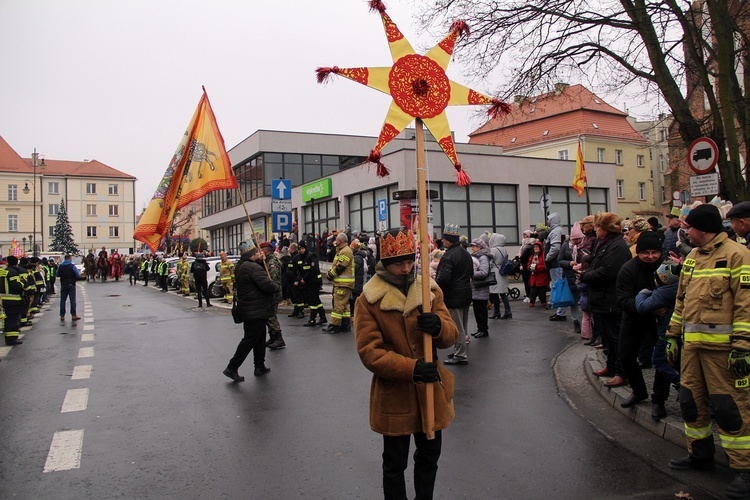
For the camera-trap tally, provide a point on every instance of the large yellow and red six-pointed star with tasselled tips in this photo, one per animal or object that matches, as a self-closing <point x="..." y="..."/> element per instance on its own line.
<point x="420" y="89"/>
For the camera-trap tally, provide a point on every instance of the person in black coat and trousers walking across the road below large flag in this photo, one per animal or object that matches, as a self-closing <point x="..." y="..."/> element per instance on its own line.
<point x="254" y="291"/>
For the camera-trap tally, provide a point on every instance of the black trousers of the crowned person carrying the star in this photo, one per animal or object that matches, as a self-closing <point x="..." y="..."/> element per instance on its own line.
<point x="396" y="458"/>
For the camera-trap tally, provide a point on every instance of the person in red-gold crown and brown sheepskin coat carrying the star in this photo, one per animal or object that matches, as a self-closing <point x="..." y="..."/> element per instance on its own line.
<point x="390" y="331"/>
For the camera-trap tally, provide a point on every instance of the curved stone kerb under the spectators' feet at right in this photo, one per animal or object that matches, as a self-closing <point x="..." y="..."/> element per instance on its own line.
<point x="669" y="428"/>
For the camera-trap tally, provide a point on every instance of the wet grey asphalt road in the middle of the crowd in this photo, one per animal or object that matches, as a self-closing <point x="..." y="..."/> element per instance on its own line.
<point x="161" y="421"/>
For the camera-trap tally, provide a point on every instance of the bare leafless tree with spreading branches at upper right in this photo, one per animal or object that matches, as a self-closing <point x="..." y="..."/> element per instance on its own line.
<point x="693" y="56"/>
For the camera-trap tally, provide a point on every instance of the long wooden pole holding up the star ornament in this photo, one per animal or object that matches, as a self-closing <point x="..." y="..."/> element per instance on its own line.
<point x="424" y="258"/>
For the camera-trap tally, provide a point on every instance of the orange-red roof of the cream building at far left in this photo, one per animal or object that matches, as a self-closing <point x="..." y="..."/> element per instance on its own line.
<point x="10" y="161"/>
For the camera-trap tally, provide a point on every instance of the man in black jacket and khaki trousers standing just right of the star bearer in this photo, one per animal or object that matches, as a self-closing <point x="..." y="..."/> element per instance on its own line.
<point x="453" y="276"/>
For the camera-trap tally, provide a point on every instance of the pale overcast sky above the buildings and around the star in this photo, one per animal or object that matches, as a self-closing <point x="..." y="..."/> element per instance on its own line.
<point x="118" y="81"/>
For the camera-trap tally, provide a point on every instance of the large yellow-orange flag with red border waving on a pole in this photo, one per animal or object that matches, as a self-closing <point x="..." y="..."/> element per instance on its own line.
<point x="200" y="165"/>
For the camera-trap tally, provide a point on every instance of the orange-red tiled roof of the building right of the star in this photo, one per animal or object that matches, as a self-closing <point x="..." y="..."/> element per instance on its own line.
<point x="566" y="112"/>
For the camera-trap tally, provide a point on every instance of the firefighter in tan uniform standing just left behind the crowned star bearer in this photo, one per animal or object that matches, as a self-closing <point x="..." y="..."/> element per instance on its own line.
<point x="342" y="275"/>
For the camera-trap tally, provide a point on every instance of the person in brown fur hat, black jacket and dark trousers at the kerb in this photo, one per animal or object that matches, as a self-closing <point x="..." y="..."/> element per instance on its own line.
<point x="610" y="254"/>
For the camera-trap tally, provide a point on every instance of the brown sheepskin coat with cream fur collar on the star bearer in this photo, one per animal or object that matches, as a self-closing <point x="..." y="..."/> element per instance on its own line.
<point x="389" y="344"/>
